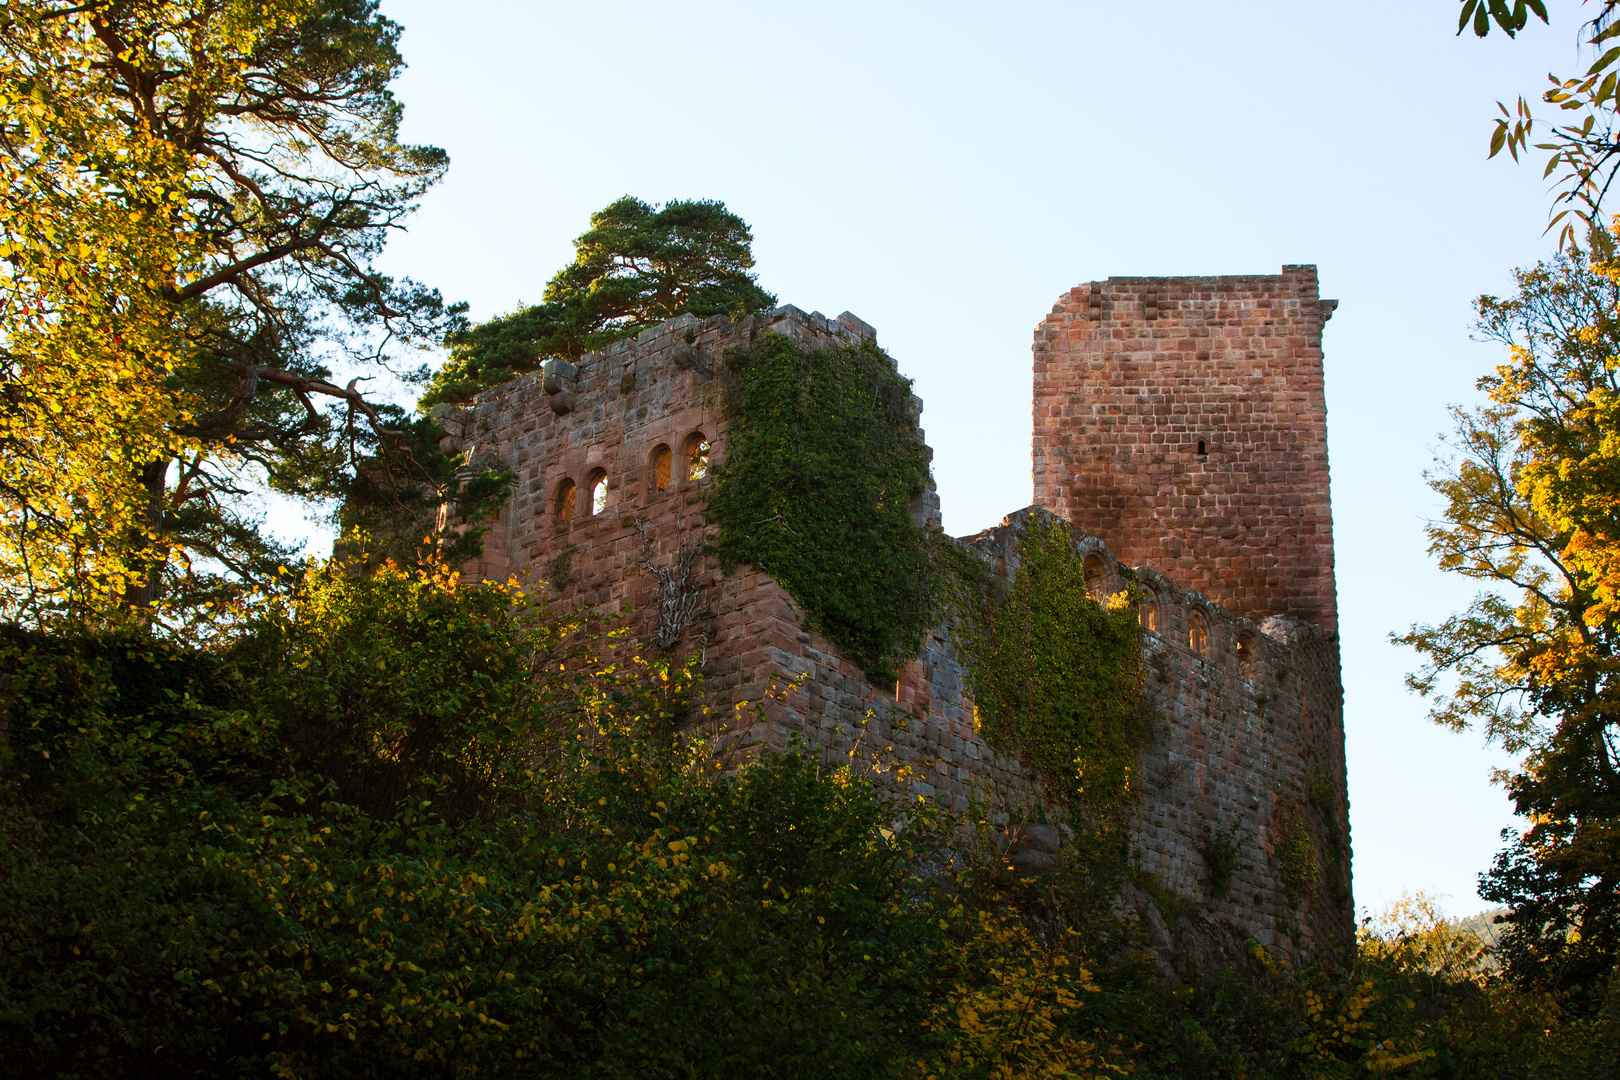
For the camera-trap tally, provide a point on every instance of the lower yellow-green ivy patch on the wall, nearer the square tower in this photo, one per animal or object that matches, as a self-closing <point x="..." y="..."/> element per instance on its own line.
<point x="1055" y="674"/>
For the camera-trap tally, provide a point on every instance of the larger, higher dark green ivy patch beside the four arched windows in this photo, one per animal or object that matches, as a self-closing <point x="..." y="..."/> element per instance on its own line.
<point x="822" y="466"/>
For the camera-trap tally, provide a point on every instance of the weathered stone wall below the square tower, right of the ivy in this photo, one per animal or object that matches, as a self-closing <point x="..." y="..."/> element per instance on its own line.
<point x="1248" y="738"/>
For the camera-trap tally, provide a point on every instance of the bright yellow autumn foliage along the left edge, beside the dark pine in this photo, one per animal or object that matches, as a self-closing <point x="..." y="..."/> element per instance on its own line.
<point x="96" y="232"/>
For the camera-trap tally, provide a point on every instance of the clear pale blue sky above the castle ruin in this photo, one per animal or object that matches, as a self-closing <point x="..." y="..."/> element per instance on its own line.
<point x="947" y="171"/>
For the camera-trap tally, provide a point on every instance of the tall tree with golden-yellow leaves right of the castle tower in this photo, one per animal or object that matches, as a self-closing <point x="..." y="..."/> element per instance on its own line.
<point x="1530" y="493"/>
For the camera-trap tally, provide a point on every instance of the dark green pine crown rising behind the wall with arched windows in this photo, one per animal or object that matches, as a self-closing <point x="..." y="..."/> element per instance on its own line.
<point x="636" y="268"/>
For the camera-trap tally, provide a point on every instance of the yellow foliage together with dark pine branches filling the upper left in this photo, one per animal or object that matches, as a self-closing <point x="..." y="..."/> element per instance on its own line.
<point x="195" y="193"/>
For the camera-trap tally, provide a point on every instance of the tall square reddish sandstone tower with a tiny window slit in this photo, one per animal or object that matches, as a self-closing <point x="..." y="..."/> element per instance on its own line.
<point x="1183" y="422"/>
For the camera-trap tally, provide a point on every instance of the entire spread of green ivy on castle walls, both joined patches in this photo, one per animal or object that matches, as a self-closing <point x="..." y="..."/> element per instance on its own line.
<point x="822" y="467"/>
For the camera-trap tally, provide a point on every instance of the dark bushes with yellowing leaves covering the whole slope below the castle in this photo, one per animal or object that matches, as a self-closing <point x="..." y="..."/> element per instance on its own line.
<point x="403" y="827"/>
